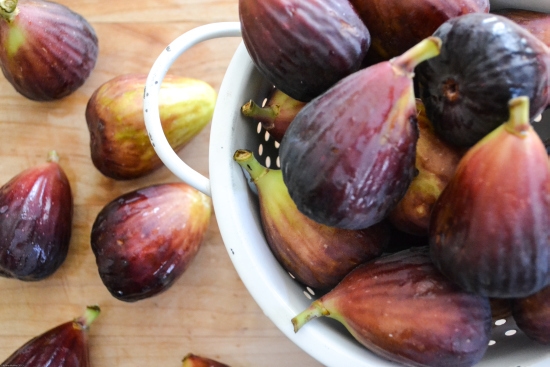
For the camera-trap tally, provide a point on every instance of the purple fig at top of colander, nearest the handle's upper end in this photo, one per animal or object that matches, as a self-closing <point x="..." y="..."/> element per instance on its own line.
<point x="303" y="47"/>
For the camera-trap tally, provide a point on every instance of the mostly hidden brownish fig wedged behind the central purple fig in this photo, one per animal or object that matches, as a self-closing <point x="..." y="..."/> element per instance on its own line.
<point x="436" y="162"/>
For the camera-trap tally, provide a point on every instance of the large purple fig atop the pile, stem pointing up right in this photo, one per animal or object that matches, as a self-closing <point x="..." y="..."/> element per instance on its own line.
<point x="348" y="156"/>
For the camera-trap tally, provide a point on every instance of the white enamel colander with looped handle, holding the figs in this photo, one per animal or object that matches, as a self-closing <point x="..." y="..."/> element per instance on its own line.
<point x="236" y="207"/>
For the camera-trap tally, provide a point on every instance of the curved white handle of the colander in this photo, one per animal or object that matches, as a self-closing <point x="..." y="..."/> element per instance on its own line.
<point x="150" y="98"/>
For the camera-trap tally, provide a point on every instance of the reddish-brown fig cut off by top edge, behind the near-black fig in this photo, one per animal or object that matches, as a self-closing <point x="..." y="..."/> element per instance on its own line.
<point x="396" y="25"/>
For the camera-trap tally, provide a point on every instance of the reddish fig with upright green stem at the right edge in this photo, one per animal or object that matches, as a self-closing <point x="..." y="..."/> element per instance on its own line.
<point x="490" y="227"/>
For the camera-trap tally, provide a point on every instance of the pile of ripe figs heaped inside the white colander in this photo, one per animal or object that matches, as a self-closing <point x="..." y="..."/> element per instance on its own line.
<point x="413" y="192"/>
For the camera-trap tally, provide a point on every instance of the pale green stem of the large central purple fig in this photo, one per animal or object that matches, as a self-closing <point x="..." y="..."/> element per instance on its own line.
<point x="422" y="51"/>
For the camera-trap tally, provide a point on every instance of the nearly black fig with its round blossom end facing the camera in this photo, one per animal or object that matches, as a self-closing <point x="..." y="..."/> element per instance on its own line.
<point x="485" y="60"/>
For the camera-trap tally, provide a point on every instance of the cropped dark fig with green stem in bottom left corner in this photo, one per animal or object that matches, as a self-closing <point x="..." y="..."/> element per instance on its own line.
<point x="65" y="345"/>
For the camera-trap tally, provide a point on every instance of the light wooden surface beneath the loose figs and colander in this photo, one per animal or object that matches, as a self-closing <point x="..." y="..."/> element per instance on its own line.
<point x="208" y="311"/>
